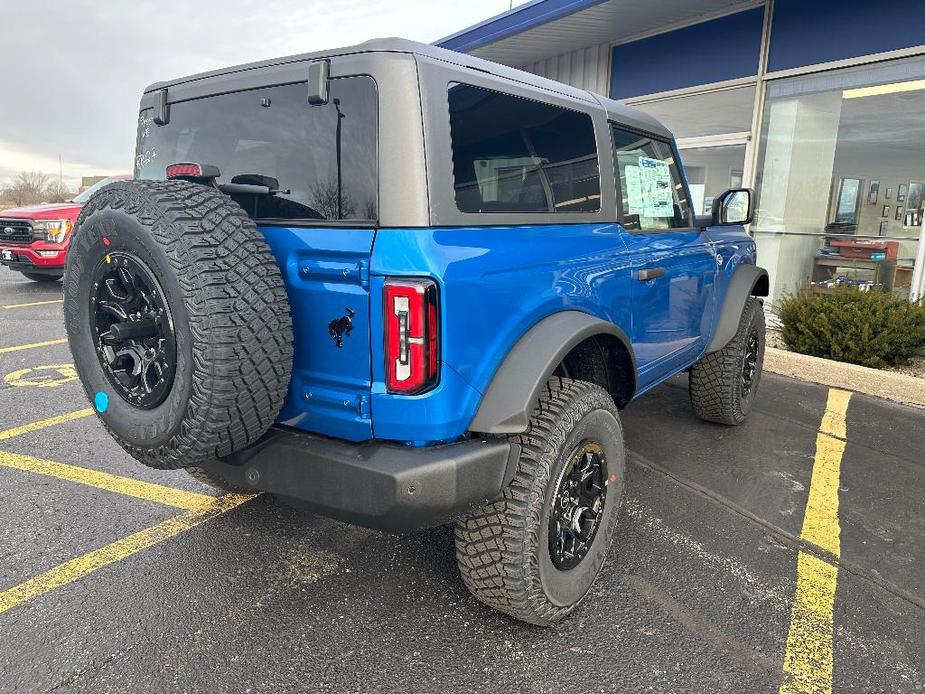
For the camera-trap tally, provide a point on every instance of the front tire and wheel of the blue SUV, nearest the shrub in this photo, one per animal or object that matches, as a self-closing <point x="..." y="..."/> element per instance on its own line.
<point x="723" y="384"/>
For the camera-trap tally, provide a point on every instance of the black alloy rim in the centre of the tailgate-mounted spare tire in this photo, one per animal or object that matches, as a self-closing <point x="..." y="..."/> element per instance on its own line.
<point x="132" y="329"/>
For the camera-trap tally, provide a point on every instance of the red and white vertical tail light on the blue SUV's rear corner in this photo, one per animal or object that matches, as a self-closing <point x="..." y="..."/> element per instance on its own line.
<point x="411" y="335"/>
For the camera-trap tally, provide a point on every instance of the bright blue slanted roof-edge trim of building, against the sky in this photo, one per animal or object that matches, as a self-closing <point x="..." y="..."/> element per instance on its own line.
<point x="520" y="19"/>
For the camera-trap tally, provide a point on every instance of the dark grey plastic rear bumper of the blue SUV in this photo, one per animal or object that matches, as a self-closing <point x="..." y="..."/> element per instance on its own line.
<point x="375" y="484"/>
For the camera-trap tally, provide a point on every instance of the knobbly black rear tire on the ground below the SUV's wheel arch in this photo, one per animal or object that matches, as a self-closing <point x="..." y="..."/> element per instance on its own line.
<point x="503" y="549"/>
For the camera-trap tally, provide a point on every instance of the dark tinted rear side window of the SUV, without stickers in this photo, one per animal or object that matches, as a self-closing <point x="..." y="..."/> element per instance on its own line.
<point x="516" y="155"/>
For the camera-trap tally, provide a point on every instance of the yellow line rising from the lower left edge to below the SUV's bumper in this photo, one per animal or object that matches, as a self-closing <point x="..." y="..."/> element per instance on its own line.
<point x="77" y="568"/>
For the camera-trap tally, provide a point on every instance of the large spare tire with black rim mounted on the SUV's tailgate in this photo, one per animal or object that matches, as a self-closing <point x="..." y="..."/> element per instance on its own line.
<point x="204" y="277"/>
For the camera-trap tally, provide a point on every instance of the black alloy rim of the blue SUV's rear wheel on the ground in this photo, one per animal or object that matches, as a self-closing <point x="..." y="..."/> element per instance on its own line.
<point x="578" y="506"/>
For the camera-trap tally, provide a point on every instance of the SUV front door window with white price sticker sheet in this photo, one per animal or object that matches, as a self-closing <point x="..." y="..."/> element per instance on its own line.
<point x="653" y="195"/>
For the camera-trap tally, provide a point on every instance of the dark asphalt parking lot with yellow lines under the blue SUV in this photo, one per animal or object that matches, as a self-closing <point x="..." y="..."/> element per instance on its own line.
<point x="785" y="555"/>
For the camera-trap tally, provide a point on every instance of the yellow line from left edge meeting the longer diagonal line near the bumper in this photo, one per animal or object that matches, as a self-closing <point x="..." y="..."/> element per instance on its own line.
<point x="189" y="501"/>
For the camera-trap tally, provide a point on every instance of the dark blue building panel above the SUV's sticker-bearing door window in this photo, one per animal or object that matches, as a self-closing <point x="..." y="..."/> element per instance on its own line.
<point x="713" y="51"/>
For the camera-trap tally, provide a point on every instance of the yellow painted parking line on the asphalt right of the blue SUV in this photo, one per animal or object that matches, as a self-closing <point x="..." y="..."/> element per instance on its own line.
<point x="809" y="656"/>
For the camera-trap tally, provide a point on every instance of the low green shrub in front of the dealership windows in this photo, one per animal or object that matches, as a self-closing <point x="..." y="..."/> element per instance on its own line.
<point x="868" y="328"/>
